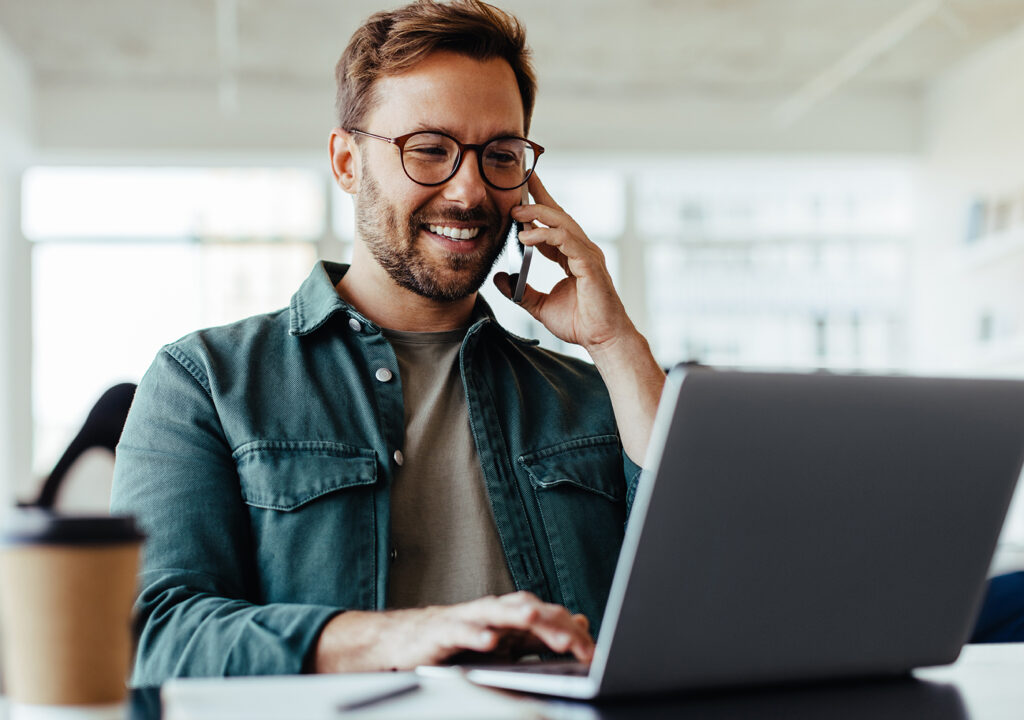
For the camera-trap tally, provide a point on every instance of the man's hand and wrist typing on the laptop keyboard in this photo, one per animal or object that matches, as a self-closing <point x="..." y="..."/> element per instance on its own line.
<point x="511" y="625"/>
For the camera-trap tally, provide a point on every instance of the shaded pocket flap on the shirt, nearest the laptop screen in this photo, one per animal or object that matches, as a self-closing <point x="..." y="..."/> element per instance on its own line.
<point x="589" y="463"/>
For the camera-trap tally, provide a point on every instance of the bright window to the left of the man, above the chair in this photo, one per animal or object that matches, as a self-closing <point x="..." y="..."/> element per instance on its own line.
<point x="125" y="261"/>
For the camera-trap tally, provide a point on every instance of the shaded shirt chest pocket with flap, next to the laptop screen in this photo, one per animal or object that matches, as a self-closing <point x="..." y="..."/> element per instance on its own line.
<point x="580" y="489"/>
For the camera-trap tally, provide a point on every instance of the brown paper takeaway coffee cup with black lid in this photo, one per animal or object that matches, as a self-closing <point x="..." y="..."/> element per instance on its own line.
<point x="67" y="588"/>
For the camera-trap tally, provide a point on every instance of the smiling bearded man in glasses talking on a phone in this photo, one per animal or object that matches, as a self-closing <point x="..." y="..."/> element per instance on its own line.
<point x="380" y="477"/>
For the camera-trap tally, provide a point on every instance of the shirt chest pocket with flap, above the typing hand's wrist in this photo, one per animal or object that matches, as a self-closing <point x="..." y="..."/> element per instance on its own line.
<point x="314" y="521"/>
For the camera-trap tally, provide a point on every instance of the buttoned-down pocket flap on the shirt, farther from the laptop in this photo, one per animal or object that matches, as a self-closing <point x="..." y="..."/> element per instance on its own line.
<point x="287" y="475"/>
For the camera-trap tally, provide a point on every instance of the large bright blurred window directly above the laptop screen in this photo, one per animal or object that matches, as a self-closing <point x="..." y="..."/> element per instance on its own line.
<point x="777" y="263"/>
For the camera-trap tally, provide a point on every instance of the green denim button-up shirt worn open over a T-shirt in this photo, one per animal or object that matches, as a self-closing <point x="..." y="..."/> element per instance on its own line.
<point x="259" y="457"/>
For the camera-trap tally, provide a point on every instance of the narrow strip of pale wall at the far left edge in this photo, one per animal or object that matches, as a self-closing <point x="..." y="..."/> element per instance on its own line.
<point x="16" y="334"/>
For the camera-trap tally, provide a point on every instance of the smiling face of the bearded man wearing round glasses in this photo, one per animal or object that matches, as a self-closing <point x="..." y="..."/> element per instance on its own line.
<point x="406" y="226"/>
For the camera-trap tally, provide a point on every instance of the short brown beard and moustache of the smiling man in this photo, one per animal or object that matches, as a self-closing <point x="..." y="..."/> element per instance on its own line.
<point x="395" y="246"/>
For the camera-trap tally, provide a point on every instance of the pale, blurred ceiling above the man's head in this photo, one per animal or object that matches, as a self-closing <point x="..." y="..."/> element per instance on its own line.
<point x="694" y="64"/>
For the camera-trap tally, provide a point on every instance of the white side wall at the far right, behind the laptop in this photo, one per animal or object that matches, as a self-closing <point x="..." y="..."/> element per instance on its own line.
<point x="974" y="150"/>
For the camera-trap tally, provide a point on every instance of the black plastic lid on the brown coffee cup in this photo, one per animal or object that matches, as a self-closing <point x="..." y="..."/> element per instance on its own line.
<point x="42" y="528"/>
